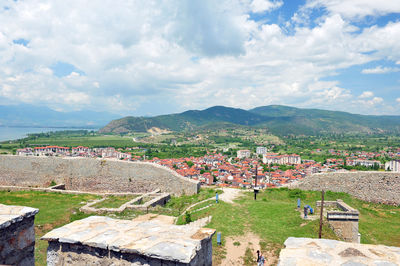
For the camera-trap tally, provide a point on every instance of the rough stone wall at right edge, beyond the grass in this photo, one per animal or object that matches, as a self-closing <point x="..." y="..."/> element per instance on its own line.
<point x="378" y="187"/>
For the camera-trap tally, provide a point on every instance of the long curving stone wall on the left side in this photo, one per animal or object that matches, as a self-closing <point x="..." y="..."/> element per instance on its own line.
<point x="86" y="174"/>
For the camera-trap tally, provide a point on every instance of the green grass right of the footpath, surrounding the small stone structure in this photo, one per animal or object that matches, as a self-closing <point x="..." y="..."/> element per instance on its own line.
<point x="274" y="218"/>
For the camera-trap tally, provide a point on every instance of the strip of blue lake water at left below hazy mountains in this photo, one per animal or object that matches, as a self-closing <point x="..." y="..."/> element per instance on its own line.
<point x="12" y="133"/>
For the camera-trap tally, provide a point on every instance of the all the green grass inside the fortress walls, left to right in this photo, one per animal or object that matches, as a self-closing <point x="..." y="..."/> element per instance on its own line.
<point x="273" y="217"/>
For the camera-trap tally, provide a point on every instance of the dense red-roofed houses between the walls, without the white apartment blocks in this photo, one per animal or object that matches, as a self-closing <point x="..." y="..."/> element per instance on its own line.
<point x="217" y="169"/>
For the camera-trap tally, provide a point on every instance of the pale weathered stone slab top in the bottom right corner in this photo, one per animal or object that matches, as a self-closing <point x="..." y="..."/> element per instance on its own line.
<point x="309" y="251"/>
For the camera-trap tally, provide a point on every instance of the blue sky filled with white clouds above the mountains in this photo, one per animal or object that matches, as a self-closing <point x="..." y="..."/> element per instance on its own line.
<point x="145" y="57"/>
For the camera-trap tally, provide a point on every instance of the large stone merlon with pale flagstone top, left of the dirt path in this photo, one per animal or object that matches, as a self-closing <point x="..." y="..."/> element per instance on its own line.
<point x="131" y="239"/>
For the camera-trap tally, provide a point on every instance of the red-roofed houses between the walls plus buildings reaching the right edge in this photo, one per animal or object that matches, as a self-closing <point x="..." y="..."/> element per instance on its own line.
<point x="246" y="169"/>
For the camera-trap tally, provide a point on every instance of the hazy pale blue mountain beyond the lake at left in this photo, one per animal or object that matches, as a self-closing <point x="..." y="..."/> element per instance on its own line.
<point x="29" y="115"/>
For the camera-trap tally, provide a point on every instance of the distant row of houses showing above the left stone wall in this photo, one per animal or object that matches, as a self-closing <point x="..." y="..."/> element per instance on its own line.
<point x="79" y="151"/>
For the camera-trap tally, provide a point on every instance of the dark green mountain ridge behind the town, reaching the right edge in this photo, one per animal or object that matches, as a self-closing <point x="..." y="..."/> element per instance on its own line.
<point x="281" y="120"/>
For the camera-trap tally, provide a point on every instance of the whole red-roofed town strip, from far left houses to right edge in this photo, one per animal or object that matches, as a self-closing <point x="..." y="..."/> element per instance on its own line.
<point x="248" y="169"/>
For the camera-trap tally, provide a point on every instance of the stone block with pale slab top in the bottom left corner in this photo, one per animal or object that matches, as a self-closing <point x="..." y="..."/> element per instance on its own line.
<point x="17" y="235"/>
